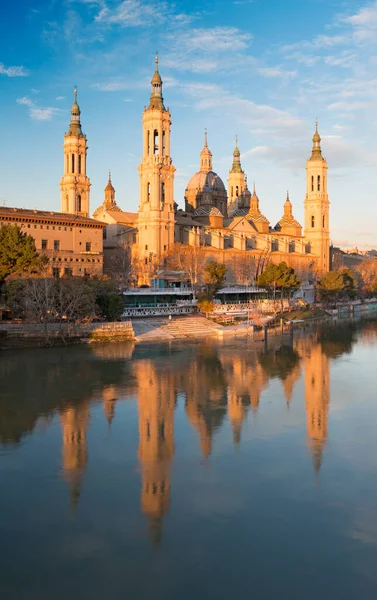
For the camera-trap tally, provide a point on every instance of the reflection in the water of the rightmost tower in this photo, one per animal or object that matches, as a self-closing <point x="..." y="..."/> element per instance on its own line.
<point x="317" y="398"/>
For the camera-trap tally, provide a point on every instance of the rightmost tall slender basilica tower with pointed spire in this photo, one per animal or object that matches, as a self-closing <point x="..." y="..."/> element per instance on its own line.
<point x="317" y="228"/>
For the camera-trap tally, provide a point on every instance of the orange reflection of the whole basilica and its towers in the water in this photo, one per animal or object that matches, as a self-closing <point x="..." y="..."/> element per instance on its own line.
<point x="217" y="383"/>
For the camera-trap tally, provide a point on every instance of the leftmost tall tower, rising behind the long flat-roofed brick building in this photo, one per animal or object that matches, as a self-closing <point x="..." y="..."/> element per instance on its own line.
<point x="75" y="185"/>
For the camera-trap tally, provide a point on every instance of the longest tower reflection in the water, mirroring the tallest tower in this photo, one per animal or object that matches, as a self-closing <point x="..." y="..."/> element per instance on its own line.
<point x="156" y="402"/>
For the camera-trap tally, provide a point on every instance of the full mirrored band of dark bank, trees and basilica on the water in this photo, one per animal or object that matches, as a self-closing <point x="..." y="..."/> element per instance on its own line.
<point x="217" y="383"/>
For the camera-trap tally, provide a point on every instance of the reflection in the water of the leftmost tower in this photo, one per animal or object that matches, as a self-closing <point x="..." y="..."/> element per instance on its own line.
<point x="75" y="422"/>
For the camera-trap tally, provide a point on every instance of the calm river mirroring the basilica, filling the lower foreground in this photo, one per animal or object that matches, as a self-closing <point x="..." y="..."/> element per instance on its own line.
<point x="198" y="470"/>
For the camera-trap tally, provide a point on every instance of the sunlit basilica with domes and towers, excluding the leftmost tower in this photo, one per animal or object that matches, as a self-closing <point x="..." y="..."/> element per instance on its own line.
<point x="227" y="222"/>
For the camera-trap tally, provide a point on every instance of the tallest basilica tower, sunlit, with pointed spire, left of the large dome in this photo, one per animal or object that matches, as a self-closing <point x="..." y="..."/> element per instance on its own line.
<point x="156" y="171"/>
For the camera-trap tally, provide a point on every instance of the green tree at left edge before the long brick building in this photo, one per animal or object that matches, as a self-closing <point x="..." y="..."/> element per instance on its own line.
<point x="17" y="253"/>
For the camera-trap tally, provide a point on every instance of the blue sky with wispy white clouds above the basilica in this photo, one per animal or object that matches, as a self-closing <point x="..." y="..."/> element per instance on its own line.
<point x="262" y="69"/>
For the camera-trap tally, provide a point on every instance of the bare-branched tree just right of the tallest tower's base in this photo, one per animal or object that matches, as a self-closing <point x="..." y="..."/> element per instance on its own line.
<point x="190" y="260"/>
